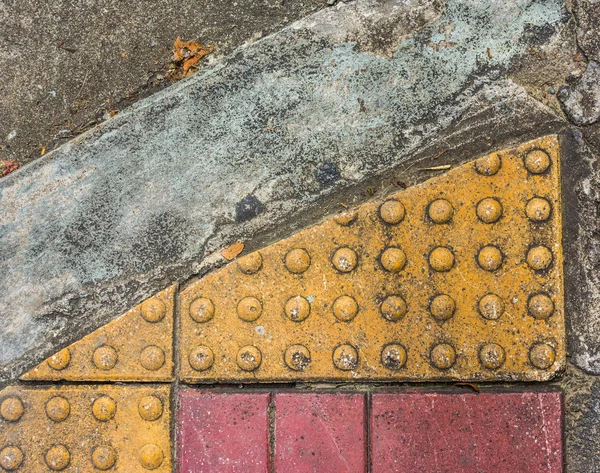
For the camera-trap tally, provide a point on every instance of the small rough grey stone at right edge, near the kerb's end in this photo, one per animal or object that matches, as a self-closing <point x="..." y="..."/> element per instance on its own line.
<point x="581" y="100"/>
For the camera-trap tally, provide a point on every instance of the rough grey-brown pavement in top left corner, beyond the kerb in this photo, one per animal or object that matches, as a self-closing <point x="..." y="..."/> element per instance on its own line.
<point x="68" y="63"/>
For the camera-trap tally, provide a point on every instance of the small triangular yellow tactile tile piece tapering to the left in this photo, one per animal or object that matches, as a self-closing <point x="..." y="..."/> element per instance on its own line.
<point x="138" y="346"/>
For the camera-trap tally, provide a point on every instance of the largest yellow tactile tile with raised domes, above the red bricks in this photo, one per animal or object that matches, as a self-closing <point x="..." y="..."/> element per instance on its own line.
<point x="459" y="278"/>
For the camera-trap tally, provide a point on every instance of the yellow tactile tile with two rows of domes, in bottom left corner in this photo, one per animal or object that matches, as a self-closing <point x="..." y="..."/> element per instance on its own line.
<point x="81" y="429"/>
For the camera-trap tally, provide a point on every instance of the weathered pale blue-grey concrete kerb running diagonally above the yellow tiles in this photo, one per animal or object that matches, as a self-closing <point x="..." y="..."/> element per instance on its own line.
<point x="112" y="217"/>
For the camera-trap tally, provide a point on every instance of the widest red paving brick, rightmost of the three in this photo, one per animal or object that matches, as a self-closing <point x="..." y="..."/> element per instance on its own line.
<point x="467" y="433"/>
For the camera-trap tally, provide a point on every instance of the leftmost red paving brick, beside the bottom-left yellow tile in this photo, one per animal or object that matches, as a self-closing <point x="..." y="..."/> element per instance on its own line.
<point x="223" y="433"/>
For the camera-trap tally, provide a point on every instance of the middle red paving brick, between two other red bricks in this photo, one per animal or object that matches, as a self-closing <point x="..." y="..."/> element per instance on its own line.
<point x="324" y="433"/>
